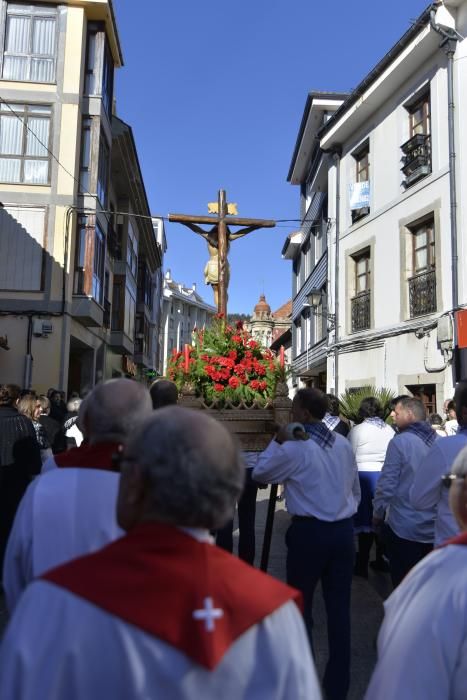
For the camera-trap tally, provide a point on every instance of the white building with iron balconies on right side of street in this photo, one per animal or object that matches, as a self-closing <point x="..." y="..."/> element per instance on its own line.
<point x="394" y="291"/>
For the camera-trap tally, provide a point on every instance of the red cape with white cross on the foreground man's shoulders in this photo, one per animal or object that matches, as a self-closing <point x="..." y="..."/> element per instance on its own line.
<point x="157" y="577"/>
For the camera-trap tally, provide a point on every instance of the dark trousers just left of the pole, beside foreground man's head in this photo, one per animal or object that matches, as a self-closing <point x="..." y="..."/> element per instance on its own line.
<point x="246" y="523"/>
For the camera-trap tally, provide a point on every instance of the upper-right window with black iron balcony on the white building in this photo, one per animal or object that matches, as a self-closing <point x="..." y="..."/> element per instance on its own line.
<point x="417" y="150"/>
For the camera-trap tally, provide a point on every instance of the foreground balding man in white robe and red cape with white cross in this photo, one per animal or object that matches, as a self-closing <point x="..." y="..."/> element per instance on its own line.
<point x="162" y="612"/>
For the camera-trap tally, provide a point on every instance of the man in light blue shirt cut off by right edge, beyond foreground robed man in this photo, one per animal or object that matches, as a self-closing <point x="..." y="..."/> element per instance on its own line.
<point x="428" y="490"/>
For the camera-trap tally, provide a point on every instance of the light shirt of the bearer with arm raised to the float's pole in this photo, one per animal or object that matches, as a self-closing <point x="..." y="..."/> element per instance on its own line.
<point x="322" y="482"/>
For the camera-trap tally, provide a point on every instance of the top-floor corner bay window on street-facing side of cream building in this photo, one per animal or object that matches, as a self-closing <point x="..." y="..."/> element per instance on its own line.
<point x="99" y="66"/>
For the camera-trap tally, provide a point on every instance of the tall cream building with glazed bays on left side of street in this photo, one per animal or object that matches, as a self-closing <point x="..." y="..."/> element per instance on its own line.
<point x="72" y="200"/>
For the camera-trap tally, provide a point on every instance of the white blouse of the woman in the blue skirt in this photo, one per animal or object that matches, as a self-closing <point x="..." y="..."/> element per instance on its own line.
<point x="369" y="443"/>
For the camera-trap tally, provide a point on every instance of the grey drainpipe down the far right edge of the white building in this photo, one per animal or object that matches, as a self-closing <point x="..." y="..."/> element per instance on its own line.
<point x="449" y="44"/>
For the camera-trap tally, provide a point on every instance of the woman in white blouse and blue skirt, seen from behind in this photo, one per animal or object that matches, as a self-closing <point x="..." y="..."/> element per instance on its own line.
<point x="369" y="439"/>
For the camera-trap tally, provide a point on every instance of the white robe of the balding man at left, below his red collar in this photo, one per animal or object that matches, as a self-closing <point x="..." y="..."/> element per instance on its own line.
<point x="64" y="513"/>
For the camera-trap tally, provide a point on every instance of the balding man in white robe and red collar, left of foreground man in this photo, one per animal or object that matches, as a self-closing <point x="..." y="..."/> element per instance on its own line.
<point x="70" y="510"/>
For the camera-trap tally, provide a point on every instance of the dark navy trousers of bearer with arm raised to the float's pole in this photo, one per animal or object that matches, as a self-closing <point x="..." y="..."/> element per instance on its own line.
<point x="318" y="550"/>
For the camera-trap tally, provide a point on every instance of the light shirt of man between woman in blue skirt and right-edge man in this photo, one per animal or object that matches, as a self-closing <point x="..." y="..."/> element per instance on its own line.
<point x="406" y="453"/>
